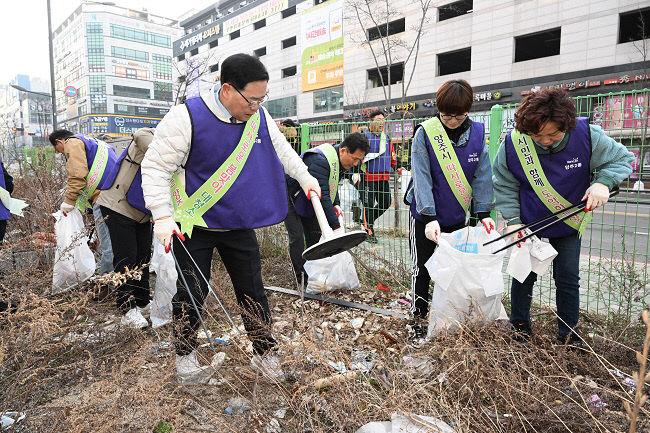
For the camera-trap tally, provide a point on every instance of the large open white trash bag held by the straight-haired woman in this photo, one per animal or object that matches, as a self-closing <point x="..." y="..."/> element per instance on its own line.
<point x="468" y="279"/>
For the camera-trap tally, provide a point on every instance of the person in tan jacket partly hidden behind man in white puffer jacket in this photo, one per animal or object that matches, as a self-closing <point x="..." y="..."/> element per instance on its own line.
<point x="129" y="225"/>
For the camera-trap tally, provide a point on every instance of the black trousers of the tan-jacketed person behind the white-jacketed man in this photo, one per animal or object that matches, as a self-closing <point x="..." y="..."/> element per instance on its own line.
<point x="131" y="243"/>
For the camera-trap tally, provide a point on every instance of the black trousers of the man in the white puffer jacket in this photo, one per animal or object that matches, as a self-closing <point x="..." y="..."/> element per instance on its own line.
<point x="240" y="254"/>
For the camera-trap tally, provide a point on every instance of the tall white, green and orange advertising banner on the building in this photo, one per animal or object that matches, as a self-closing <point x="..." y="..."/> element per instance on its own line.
<point x="322" y="46"/>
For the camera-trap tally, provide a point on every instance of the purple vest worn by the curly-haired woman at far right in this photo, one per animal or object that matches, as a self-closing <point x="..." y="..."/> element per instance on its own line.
<point x="568" y="171"/>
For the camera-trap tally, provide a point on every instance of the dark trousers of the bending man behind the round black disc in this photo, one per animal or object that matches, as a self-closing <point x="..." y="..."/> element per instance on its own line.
<point x="301" y="231"/>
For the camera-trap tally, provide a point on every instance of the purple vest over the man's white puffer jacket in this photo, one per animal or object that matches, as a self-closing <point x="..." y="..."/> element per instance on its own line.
<point x="258" y="198"/>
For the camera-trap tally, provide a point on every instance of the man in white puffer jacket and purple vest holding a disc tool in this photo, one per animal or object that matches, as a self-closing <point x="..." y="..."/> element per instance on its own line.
<point x="225" y="159"/>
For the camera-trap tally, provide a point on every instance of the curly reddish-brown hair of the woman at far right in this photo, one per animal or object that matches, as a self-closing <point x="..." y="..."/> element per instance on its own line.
<point x="543" y="106"/>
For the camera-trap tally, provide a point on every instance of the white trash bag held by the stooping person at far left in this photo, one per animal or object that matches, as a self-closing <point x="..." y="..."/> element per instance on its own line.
<point x="74" y="262"/>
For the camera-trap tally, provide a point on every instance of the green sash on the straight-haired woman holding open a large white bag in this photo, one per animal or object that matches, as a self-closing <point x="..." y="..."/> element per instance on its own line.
<point x="448" y="160"/>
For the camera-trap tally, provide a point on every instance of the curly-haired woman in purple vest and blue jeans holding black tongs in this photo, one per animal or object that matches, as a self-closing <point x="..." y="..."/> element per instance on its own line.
<point x="569" y="150"/>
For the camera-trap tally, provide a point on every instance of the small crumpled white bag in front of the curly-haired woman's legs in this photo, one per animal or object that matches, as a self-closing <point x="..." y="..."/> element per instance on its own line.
<point x="534" y="255"/>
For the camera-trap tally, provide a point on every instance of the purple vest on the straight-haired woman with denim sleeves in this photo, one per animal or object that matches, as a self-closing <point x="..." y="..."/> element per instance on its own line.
<point x="448" y="211"/>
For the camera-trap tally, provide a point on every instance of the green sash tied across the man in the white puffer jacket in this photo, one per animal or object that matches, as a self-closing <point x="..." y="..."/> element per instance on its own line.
<point x="188" y="211"/>
